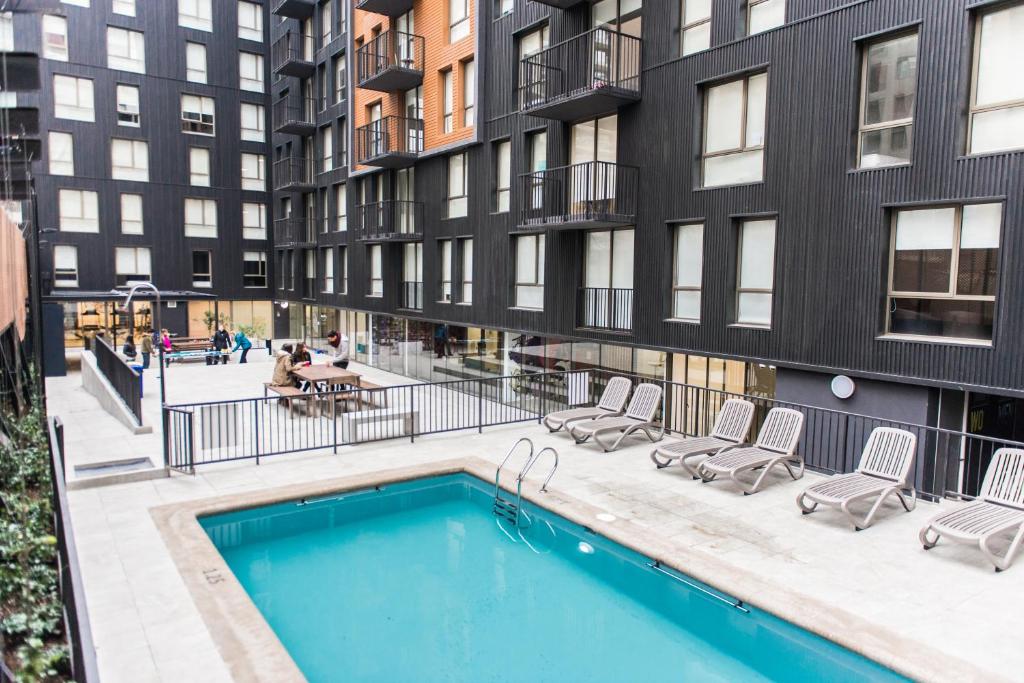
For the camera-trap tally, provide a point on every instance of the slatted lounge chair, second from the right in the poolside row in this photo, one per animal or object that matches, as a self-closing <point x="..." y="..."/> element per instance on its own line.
<point x="885" y="465"/>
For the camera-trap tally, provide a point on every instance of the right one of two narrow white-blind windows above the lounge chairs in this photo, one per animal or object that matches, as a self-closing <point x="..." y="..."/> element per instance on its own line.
<point x="756" y="275"/>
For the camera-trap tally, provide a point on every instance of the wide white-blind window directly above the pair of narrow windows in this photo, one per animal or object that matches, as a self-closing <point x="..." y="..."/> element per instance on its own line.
<point x="735" y="132"/>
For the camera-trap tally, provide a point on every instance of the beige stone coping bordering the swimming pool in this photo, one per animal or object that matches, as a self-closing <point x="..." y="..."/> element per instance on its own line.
<point x="252" y="651"/>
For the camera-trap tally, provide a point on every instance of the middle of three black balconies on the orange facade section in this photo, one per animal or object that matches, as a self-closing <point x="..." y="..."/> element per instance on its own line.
<point x="392" y="62"/>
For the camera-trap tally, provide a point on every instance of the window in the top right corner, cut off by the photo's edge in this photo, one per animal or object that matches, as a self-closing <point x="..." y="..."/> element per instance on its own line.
<point x="998" y="89"/>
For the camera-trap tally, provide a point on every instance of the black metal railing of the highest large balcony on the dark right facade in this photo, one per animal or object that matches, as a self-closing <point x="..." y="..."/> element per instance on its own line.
<point x="601" y="60"/>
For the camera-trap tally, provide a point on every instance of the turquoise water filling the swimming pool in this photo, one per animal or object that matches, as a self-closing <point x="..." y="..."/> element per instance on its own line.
<point x="417" y="582"/>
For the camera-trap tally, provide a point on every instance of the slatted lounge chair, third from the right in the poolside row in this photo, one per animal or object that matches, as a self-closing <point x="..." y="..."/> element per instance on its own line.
<point x="777" y="445"/>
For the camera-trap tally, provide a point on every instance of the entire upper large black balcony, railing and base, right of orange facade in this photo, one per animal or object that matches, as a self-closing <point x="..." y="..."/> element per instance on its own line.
<point x="590" y="75"/>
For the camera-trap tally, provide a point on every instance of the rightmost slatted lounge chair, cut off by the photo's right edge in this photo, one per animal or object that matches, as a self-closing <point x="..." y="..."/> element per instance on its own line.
<point x="998" y="511"/>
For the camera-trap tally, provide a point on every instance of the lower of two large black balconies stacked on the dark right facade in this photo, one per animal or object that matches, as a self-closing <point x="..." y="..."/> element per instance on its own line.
<point x="592" y="195"/>
